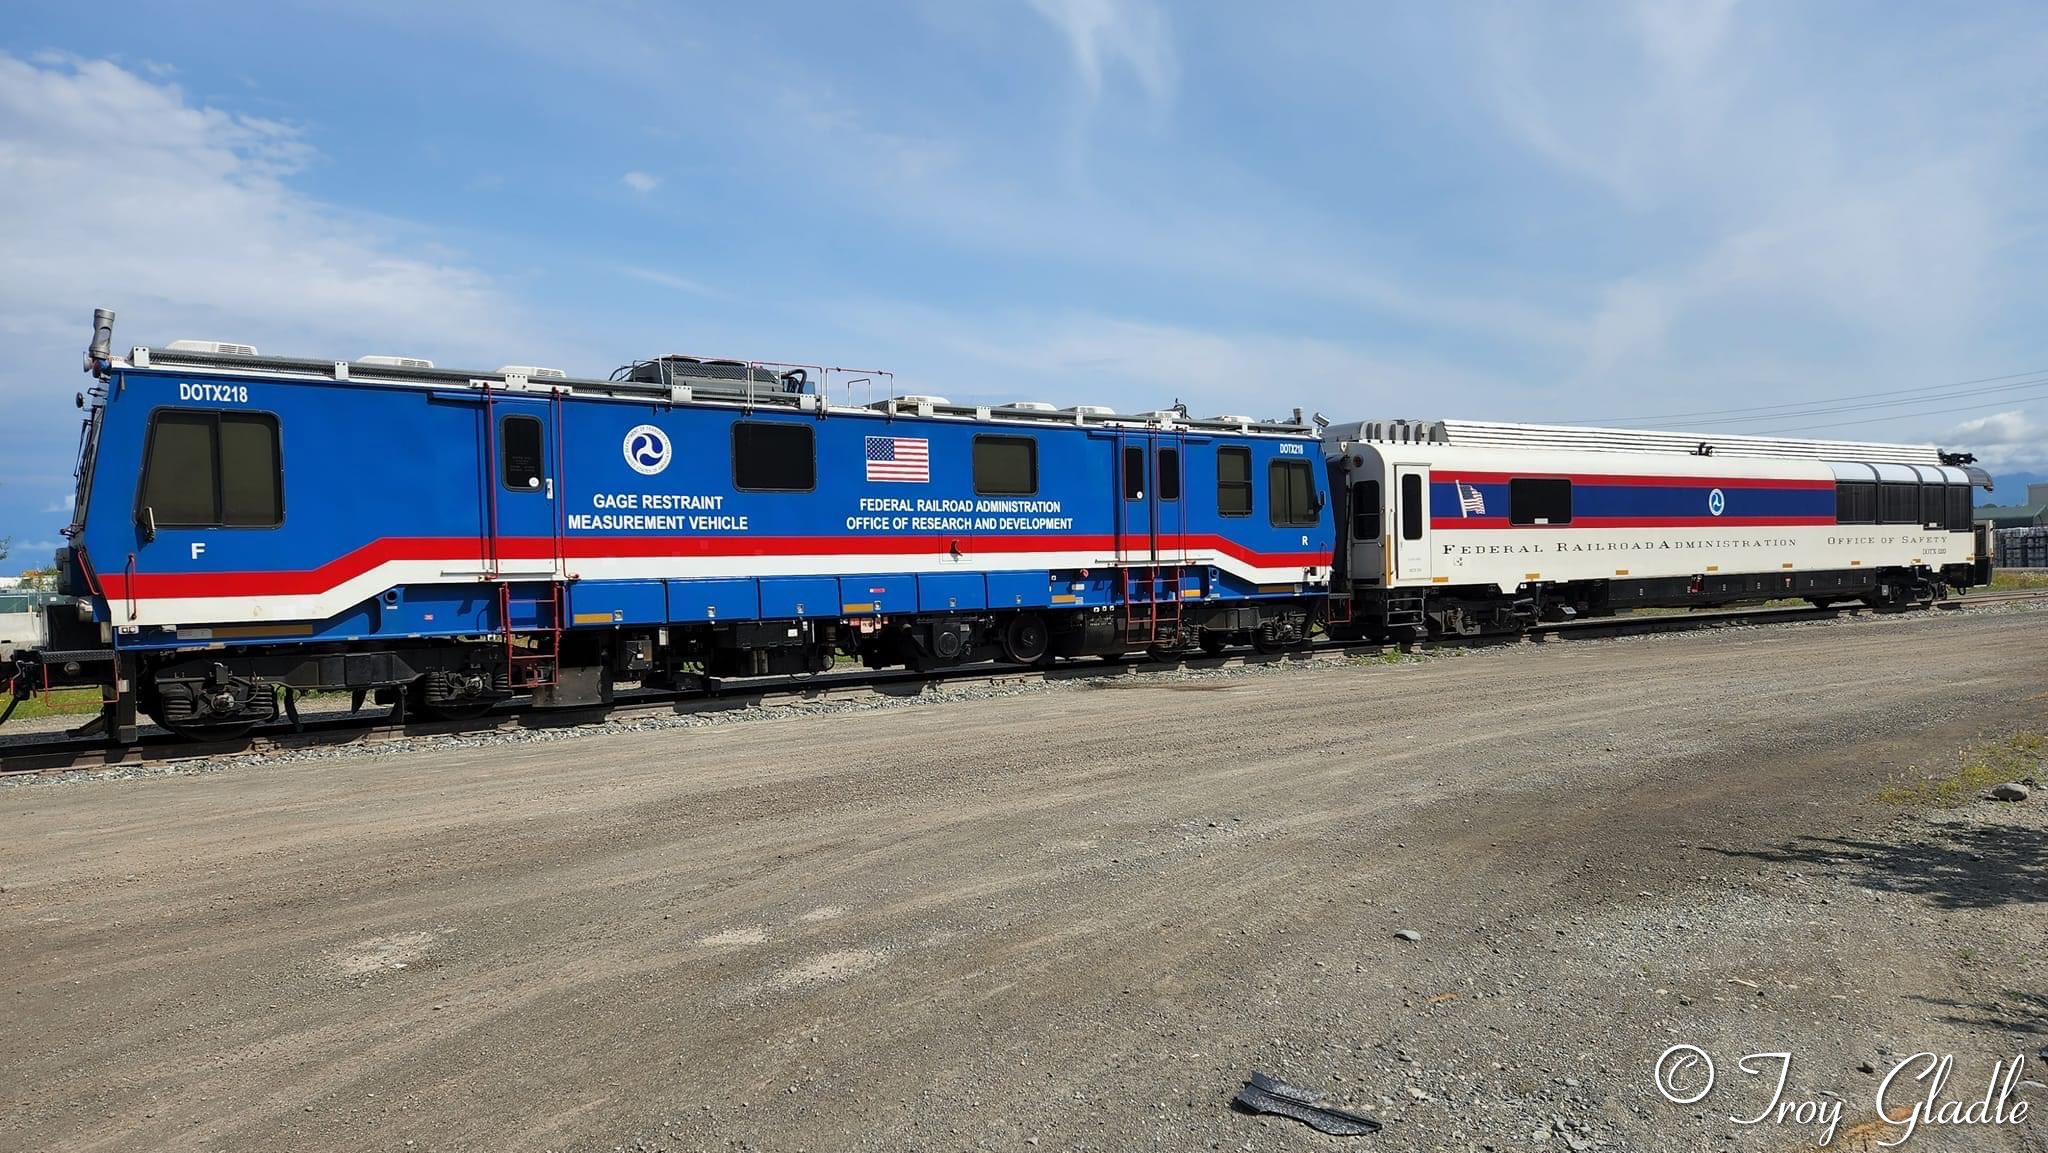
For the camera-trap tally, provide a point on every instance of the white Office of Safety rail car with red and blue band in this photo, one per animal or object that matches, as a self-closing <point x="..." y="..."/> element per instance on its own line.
<point x="1465" y="527"/>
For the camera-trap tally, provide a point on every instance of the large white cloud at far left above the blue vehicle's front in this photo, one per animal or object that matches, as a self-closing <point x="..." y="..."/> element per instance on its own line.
<point x="124" y="194"/>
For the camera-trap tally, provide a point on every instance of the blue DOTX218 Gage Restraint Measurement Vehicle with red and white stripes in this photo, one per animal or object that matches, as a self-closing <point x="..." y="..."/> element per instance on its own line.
<point x="253" y="527"/>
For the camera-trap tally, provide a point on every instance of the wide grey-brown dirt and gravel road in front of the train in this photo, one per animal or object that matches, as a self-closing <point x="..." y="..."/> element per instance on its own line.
<point x="1066" y="919"/>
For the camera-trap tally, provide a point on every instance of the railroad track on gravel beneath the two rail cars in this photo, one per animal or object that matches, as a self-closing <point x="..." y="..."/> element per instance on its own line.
<point x="67" y="753"/>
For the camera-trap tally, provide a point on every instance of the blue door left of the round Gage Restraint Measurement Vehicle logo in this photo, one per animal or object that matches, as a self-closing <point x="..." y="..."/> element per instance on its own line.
<point x="525" y="509"/>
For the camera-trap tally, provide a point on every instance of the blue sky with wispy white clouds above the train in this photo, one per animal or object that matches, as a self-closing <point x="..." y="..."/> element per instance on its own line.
<point x="1517" y="212"/>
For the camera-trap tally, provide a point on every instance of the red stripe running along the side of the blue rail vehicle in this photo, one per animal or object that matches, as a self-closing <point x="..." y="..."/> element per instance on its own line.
<point x="468" y="550"/>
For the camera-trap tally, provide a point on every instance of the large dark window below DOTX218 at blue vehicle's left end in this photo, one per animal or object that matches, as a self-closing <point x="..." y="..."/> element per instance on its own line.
<point x="214" y="470"/>
